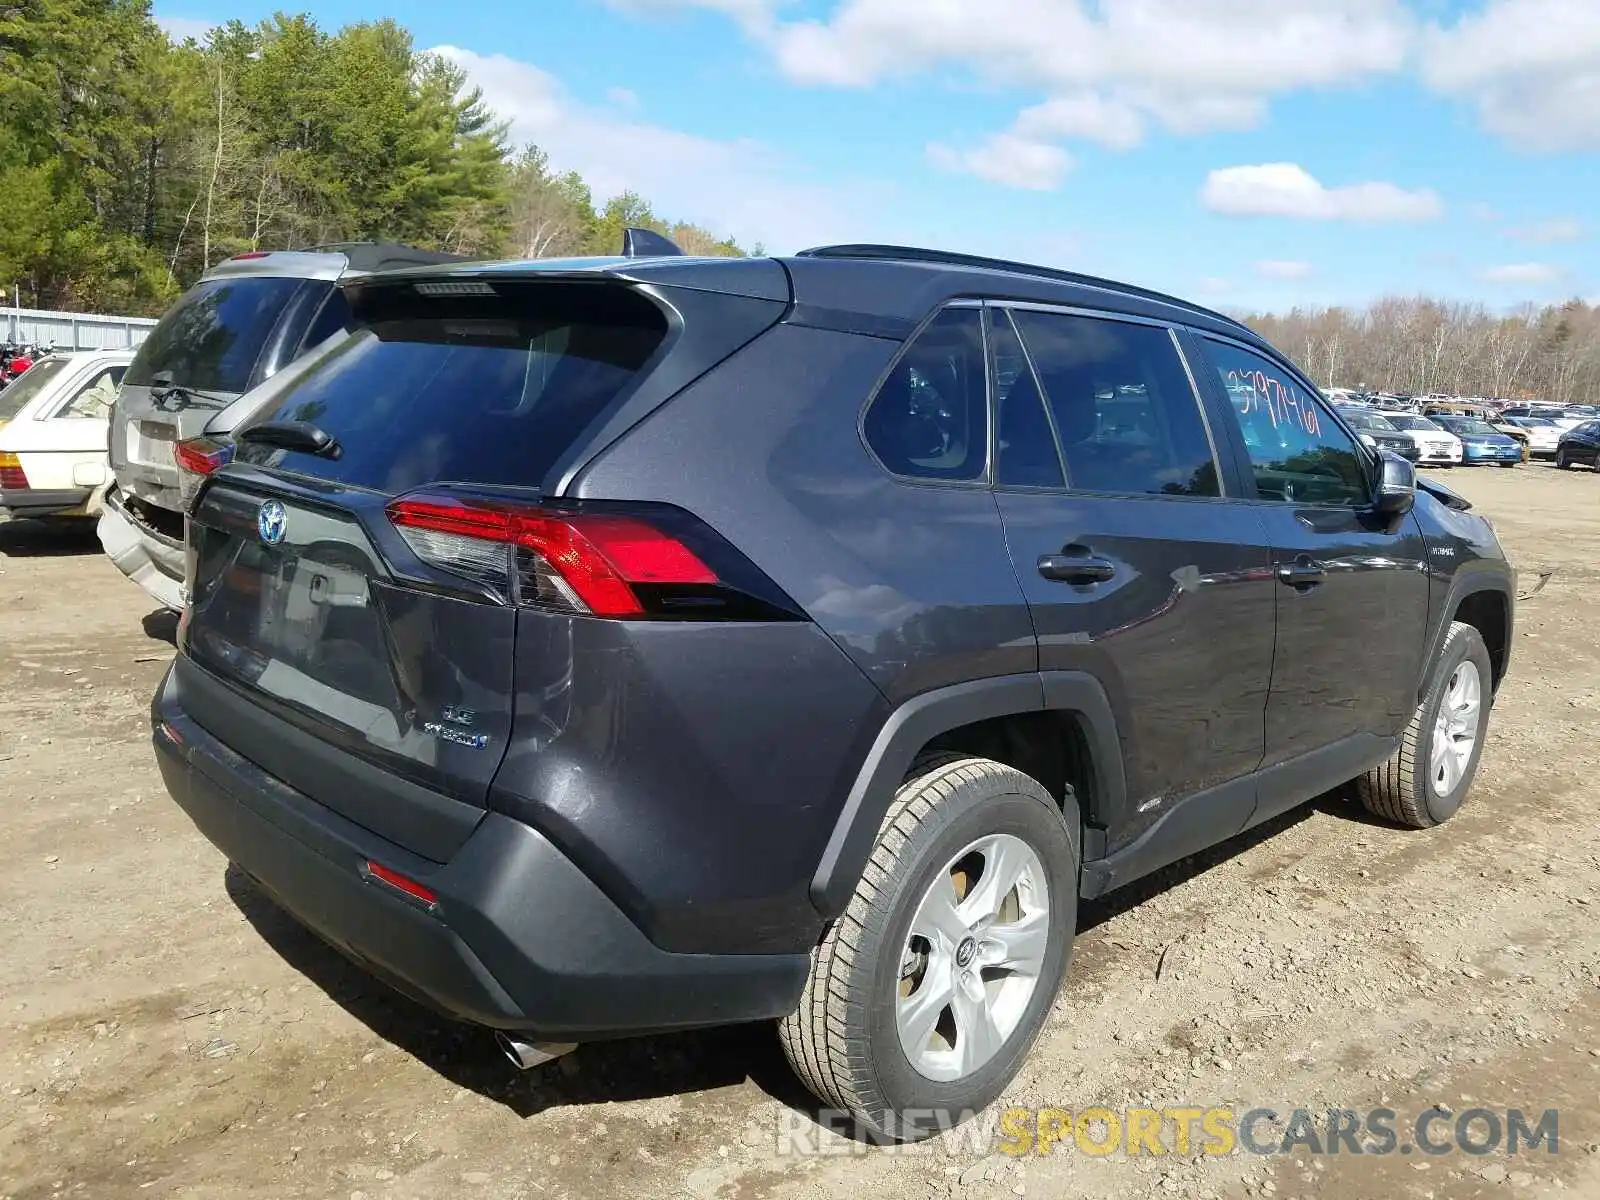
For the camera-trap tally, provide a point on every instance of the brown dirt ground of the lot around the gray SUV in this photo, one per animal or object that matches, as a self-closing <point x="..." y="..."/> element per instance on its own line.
<point x="166" y="1033"/>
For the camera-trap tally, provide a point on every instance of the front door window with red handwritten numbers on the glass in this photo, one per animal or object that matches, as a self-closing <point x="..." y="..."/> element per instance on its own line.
<point x="1297" y="452"/>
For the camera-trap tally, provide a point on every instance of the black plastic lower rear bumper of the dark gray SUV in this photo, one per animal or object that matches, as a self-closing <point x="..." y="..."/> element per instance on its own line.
<point x="518" y="940"/>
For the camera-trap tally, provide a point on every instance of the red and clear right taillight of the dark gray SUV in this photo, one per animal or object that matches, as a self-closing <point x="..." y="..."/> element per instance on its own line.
<point x="574" y="562"/>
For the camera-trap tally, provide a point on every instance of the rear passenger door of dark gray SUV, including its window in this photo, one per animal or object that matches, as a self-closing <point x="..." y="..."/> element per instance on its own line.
<point x="1140" y="566"/>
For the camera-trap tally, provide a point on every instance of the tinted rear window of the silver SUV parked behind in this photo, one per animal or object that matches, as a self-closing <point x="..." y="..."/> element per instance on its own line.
<point x="214" y="337"/>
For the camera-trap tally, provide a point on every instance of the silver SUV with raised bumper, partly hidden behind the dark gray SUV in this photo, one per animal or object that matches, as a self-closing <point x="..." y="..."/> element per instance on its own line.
<point x="202" y="372"/>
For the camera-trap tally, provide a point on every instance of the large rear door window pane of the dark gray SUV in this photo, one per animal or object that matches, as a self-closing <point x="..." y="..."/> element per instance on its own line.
<point x="1122" y="406"/>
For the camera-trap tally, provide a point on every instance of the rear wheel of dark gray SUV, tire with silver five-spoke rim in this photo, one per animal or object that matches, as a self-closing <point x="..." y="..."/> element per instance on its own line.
<point x="922" y="1004"/>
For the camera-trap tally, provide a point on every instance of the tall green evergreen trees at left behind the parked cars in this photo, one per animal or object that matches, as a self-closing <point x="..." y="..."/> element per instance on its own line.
<point x="129" y="164"/>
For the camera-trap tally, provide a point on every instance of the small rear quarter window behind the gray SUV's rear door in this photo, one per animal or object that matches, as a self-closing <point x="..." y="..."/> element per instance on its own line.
<point x="930" y="418"/>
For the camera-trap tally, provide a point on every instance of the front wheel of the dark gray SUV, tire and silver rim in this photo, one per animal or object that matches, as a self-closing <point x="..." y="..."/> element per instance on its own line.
<point x="1426" y="780"/>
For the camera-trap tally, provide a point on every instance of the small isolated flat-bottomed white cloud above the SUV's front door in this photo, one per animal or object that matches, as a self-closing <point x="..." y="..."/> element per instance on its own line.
<point x="1289" y="190"/>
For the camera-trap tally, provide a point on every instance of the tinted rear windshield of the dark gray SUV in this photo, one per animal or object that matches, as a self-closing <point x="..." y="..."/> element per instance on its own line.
<point x="466" y="390"/>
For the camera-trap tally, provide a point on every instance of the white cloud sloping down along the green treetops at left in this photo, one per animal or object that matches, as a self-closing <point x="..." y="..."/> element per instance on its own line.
<point x="740" y="188"/>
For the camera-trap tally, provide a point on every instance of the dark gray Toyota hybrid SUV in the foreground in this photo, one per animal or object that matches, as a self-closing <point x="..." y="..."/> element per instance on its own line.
<point x="623" y="646"/>
